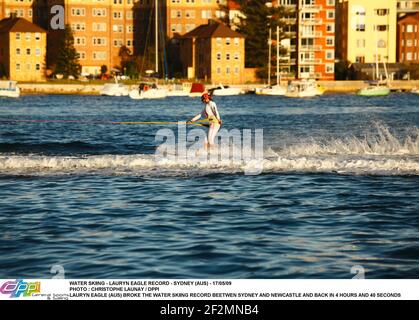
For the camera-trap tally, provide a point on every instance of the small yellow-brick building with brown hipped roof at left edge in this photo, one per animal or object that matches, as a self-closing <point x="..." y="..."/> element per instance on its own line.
<point x="22" y="50"/>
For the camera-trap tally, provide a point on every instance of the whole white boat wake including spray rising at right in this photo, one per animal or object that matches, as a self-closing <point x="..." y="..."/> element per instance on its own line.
<point x="378" y="154"/>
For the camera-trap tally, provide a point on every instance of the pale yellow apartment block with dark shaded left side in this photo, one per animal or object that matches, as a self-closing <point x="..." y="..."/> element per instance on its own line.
<point x="367" y="30"/>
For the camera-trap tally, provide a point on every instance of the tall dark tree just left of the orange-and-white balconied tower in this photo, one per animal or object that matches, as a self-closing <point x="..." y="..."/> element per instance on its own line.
<point x="259" y="18"/>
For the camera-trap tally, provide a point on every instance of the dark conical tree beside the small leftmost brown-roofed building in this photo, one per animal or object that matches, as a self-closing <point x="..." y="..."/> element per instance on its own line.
<point x="68" y="58"/>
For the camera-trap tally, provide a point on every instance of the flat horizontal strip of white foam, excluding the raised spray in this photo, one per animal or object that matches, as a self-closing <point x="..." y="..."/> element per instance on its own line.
<point x="146" y="164"/>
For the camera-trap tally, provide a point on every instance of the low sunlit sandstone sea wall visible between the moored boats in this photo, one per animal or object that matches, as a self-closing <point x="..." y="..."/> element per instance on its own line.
<point x="94" y="89"/>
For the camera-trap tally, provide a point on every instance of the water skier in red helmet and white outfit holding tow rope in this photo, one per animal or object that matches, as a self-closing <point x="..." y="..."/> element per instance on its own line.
<point x="210" y="113"/>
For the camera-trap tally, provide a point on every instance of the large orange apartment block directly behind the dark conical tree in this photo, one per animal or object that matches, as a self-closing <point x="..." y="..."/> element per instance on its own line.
<point x="100" y="27"/>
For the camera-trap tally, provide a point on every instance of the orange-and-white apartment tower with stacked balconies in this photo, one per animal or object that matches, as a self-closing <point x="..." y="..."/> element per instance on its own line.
<point x="310" y="39"/>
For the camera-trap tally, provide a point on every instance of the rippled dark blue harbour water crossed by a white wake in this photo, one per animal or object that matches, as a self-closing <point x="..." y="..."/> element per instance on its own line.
<point x="339" y="188"/>
